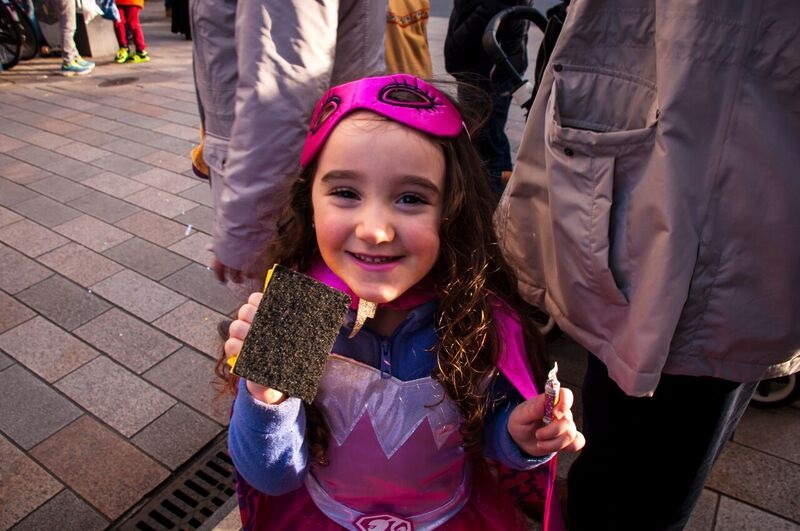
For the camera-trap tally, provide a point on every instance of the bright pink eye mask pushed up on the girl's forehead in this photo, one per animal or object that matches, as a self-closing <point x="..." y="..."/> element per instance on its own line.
<point x="402" y="98"/>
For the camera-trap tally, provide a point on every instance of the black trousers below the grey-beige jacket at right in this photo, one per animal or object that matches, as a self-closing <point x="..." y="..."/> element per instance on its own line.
<point x="646" y="459"/>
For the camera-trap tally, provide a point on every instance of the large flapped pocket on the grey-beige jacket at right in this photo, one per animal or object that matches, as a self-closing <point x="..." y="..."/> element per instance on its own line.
<point x="599" y="138"/>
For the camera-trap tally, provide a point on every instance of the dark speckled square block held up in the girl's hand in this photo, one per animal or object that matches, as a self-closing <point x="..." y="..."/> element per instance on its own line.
<point x="292" y="333"/>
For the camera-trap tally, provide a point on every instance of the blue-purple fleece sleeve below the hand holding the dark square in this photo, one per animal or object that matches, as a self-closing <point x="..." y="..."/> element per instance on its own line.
<point x="267" y="443"/>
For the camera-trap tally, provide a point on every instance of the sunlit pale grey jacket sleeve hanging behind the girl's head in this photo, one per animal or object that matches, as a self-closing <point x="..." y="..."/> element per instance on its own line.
<point x="289" y="52"/>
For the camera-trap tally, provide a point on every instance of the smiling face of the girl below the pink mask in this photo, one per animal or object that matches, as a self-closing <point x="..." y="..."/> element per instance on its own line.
<point x="377" y="197"/>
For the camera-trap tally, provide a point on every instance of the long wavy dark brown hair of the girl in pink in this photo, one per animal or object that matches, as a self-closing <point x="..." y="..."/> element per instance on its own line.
<point x="470" y="270"/>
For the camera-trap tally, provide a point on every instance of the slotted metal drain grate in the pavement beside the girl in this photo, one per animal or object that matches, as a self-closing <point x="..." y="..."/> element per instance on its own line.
<point x="191" y="498"/>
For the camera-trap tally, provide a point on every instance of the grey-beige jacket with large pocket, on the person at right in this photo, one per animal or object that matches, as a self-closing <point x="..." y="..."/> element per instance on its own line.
<point x="653" y="206"/>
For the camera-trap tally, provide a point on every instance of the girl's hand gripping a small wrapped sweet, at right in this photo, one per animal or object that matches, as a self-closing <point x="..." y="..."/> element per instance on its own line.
<point x="534" y="437"/>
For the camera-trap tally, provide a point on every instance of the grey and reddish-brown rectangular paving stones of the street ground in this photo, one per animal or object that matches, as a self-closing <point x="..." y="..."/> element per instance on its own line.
<point x="107" y="307"/>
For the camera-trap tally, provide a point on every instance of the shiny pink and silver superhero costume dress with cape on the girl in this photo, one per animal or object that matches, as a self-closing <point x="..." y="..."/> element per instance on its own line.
<point x="395" y="456"/>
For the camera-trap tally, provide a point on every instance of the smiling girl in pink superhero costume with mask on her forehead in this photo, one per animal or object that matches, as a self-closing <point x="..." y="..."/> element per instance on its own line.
<point x="391" y="207"/>
